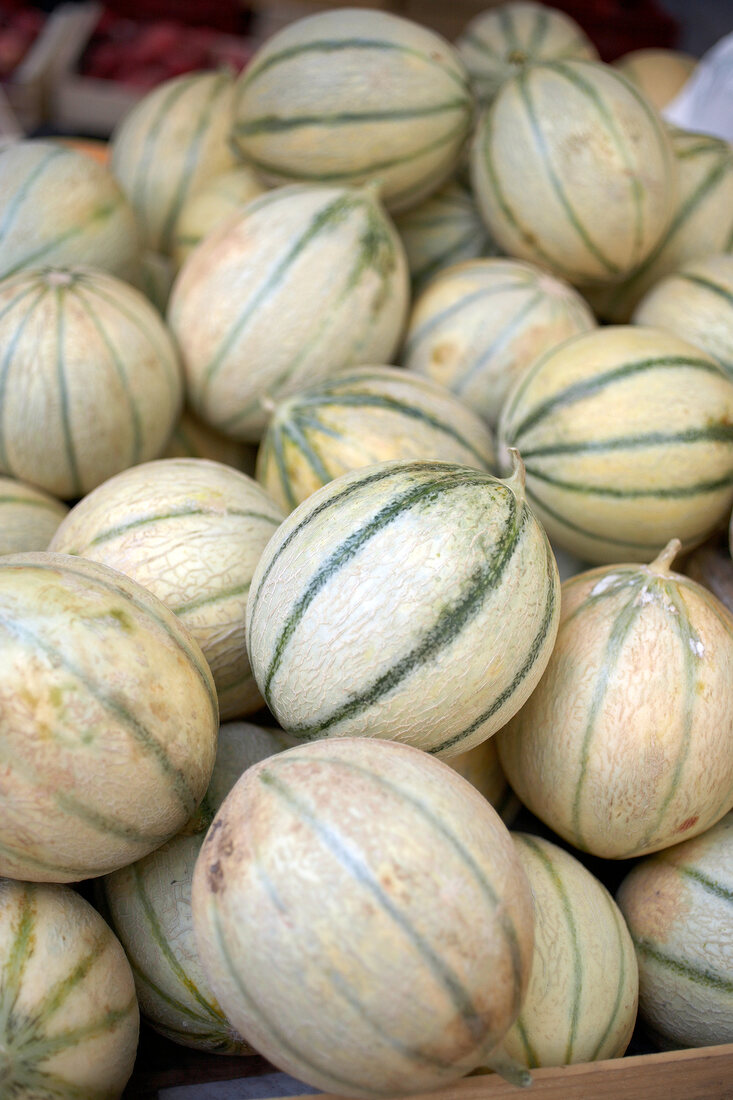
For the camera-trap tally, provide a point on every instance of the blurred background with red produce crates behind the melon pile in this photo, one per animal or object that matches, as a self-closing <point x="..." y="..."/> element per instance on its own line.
<point x="78" y="68"/>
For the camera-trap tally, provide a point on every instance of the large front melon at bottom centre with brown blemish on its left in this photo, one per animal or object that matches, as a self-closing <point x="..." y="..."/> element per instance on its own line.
<point x="364" y="919"/>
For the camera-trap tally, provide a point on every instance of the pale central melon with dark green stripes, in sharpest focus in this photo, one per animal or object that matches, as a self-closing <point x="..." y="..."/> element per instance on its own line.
<point x="411" y="601"/>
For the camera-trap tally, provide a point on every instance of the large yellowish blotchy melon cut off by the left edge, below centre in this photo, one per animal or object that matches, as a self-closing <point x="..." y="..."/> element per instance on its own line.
<point x="110" y="720"/>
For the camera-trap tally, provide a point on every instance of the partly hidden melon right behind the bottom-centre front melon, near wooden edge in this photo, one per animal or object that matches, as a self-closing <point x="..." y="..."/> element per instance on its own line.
<point x="584" y="984"/>
